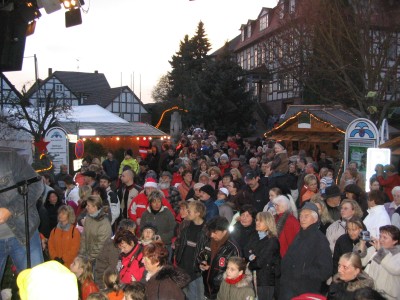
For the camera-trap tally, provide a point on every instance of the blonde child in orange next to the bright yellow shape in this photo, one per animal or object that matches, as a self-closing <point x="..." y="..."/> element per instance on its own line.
<point x="82" y="268"/>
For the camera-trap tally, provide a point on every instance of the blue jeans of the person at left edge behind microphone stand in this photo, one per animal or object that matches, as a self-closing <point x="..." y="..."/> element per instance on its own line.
<point x="12" y="247"/>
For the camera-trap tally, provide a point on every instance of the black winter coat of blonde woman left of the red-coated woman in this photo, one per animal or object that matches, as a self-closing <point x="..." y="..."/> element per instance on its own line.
<point x="267" y="261"/>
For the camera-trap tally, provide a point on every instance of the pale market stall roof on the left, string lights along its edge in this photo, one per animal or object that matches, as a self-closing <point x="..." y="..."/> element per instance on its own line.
<point x="104" y="122"/>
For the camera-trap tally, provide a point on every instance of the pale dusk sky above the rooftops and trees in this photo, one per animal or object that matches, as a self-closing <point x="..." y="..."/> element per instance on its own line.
<point x="124" y="37"/>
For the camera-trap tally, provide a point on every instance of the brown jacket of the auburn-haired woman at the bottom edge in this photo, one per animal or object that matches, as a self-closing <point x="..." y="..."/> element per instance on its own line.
<point x="167" y="284"/>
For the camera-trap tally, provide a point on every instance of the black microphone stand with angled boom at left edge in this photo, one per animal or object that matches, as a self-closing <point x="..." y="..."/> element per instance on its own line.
<point x="22" y="188"/>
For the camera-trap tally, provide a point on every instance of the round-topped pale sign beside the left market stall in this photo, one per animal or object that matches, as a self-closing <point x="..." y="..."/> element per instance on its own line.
<point x="58" y="147"/>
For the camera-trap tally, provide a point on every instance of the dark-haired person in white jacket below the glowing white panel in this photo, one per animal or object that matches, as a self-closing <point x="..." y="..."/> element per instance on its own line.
<point x="377" y="215"/>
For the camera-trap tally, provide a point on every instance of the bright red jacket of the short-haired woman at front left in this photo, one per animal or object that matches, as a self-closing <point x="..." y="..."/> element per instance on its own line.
<point x="131" y="265"/>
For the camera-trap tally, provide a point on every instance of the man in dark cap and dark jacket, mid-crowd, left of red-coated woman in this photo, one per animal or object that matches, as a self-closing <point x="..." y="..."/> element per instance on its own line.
<point x="255" y="193"/>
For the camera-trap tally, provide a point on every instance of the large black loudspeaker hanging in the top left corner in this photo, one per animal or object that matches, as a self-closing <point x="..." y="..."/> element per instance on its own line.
<point x="12" y="42"/>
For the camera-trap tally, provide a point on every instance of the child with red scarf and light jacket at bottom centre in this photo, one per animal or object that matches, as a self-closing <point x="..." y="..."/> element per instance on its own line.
<point x="237" y="283"/>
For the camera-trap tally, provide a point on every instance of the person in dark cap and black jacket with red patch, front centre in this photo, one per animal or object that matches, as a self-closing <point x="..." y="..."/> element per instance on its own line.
<point x="213" y="257"/>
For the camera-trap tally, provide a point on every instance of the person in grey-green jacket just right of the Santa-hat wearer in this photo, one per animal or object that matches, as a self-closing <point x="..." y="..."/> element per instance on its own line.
<point x="160" y="216"/>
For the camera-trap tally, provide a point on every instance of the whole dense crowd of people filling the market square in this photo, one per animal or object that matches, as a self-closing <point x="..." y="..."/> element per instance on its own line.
<point x="231" y="219"/>
